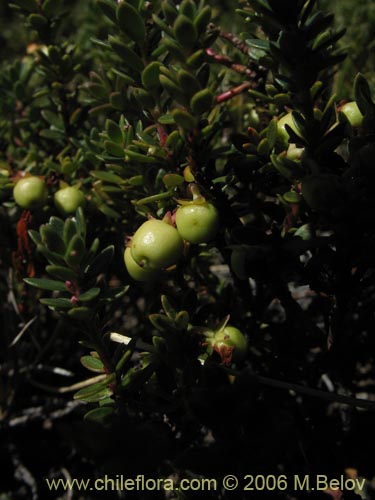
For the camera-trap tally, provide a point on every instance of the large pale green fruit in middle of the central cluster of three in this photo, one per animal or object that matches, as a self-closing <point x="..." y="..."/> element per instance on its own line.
<point x="156" y="245"/>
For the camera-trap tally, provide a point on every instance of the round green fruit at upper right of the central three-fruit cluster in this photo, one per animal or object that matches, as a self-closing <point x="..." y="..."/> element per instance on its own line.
<point x="197" y="223"/>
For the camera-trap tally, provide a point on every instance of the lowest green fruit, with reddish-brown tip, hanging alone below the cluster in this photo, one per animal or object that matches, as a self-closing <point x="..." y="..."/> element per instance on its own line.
<point x="231" y="344"/>
